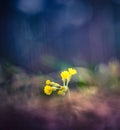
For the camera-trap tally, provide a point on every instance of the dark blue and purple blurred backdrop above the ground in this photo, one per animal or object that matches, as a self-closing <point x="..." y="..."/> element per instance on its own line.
<point x="45" y="35"/>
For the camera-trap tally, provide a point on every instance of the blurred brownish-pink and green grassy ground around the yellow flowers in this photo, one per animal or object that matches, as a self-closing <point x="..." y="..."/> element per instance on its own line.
<point x="93" y="103"/>
